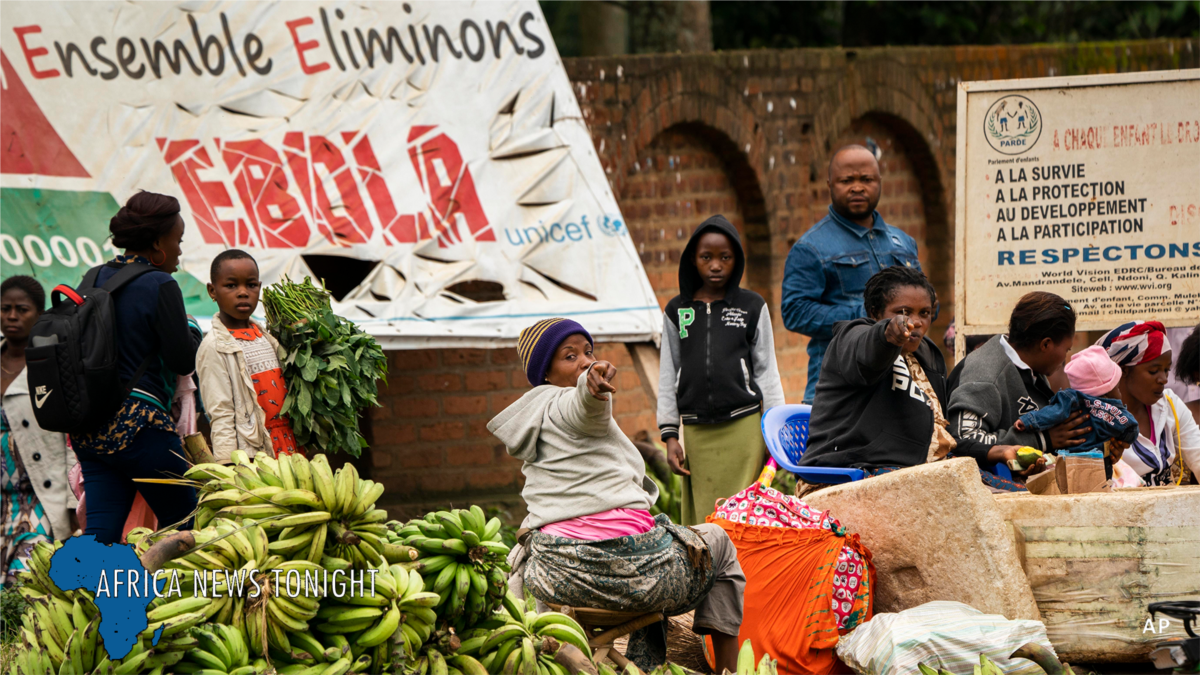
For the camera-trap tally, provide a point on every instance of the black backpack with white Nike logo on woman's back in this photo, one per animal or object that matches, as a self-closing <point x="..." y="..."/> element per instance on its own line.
<point x="73" y="357"/>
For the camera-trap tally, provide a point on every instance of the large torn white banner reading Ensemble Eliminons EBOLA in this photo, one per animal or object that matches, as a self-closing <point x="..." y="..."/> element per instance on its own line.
<point x="439" y="139"/>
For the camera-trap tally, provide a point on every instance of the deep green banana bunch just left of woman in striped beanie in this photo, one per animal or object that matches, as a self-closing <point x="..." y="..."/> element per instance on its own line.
<point x="463" y="560"/>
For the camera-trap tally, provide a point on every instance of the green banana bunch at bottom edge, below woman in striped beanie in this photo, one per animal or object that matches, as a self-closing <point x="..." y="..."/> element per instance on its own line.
<point x="515" y="648"/>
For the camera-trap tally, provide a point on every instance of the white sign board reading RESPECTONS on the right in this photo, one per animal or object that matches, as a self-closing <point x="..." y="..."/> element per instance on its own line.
<point x="1082" y="187"/>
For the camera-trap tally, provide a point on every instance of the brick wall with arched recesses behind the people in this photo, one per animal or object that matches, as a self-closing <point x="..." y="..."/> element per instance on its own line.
<point x="747" y="134"/>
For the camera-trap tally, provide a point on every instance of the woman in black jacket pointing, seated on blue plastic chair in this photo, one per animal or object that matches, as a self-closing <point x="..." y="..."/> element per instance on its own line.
<point x="880" y="402"/>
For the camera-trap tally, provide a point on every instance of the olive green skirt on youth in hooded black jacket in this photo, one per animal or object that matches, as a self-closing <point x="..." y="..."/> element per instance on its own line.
<point x="724" y="459"/>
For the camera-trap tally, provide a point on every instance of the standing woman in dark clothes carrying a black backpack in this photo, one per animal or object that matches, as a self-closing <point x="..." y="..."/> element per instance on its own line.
<point x="159" y="341"/>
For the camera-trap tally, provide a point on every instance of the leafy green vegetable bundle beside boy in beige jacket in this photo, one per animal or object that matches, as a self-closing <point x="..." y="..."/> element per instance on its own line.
<point x="332" y="367"/>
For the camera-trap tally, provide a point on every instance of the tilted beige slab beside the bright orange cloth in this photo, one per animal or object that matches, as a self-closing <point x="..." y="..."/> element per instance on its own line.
<point x="935" y="534"/>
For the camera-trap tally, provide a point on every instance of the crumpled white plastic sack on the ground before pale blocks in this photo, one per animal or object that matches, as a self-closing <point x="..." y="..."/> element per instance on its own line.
<point x="940" y="635"/>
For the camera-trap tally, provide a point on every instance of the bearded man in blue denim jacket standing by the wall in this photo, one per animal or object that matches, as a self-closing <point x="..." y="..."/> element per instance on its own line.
<point x="829" y="268"/>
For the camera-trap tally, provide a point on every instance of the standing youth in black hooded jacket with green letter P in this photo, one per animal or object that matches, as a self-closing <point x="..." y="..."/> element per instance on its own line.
<point x="718" y="372"/>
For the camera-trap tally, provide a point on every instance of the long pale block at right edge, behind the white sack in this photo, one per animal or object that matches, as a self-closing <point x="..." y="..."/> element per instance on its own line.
<point x="1096" y="561"/>
